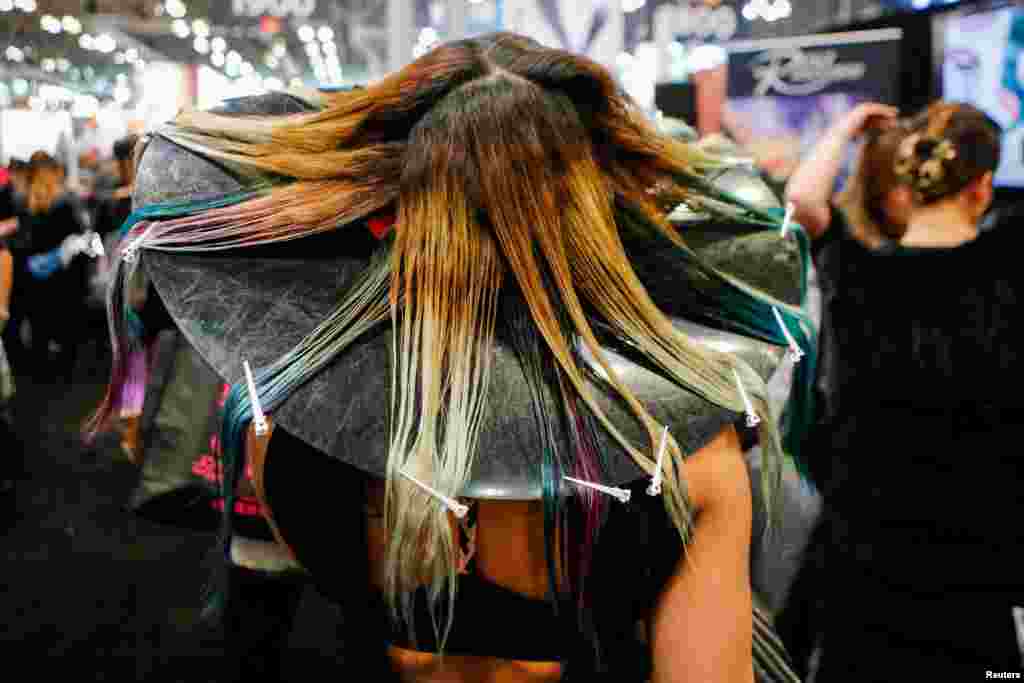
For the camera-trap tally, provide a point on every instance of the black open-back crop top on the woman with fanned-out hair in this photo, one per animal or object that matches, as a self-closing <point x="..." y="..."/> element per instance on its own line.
<point x="639" y="548"/>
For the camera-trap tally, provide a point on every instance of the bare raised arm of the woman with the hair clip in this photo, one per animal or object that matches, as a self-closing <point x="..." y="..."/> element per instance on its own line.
<point x="812" y="186"/>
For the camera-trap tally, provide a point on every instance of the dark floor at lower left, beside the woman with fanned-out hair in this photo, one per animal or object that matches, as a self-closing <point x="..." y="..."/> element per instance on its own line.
<point x="88" y="584"/>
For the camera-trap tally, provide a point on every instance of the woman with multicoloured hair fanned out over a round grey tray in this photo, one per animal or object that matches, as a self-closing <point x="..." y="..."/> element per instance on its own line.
<point x="494" y="436"/>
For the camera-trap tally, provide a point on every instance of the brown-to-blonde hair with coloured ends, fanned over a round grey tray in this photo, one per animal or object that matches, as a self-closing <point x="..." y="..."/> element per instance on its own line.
<point x="509" y="168"/>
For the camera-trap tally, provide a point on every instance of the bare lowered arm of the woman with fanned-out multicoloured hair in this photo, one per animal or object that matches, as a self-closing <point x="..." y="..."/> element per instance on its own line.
<point x="702" y="627"/>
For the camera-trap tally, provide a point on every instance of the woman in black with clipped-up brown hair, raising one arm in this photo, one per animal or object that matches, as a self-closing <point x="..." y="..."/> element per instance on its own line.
<point x="922" y="491"/>
